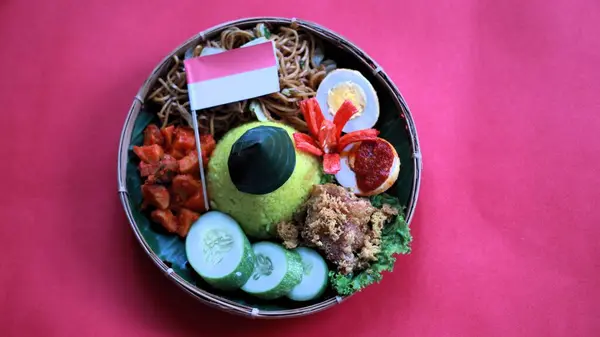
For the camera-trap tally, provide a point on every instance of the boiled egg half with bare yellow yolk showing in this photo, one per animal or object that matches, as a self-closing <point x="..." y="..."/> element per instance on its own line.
<point x="346" y="84"/>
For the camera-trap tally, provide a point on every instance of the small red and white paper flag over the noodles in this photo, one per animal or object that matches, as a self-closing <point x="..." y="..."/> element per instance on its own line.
<point x="232" y="76"/>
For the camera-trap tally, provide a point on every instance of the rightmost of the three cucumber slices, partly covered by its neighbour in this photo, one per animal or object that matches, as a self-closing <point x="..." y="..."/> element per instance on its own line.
<point x="314" y="279"/>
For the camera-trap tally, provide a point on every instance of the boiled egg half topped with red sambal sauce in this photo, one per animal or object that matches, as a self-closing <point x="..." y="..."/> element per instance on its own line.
<point x="368" y="167"/>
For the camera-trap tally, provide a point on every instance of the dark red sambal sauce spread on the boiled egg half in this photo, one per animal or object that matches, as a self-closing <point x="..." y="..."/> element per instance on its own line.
<point x="373" y="161"/>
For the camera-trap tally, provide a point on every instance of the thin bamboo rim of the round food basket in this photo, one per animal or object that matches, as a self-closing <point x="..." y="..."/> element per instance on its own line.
<point x="125" y="139"/>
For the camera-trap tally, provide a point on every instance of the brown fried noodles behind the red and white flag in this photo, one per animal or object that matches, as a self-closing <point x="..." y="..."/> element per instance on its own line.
<point x="299" y="78"/>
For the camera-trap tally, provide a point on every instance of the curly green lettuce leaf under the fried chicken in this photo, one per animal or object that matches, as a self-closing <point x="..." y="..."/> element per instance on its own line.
<point x="395" y="238"/>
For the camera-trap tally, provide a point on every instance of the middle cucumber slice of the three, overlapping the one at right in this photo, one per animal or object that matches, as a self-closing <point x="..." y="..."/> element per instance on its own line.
<point x="276" y="271"/>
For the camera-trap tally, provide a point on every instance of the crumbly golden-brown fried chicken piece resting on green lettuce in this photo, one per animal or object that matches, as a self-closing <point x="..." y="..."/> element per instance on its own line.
<point x="346" y="228"/>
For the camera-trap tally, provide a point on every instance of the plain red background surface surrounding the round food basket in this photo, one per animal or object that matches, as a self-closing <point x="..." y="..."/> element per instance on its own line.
<point x="506" y="99"/>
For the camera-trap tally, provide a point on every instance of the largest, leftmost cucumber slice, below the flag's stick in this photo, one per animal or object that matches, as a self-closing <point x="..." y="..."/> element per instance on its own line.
<point x="219" y="251"/>
